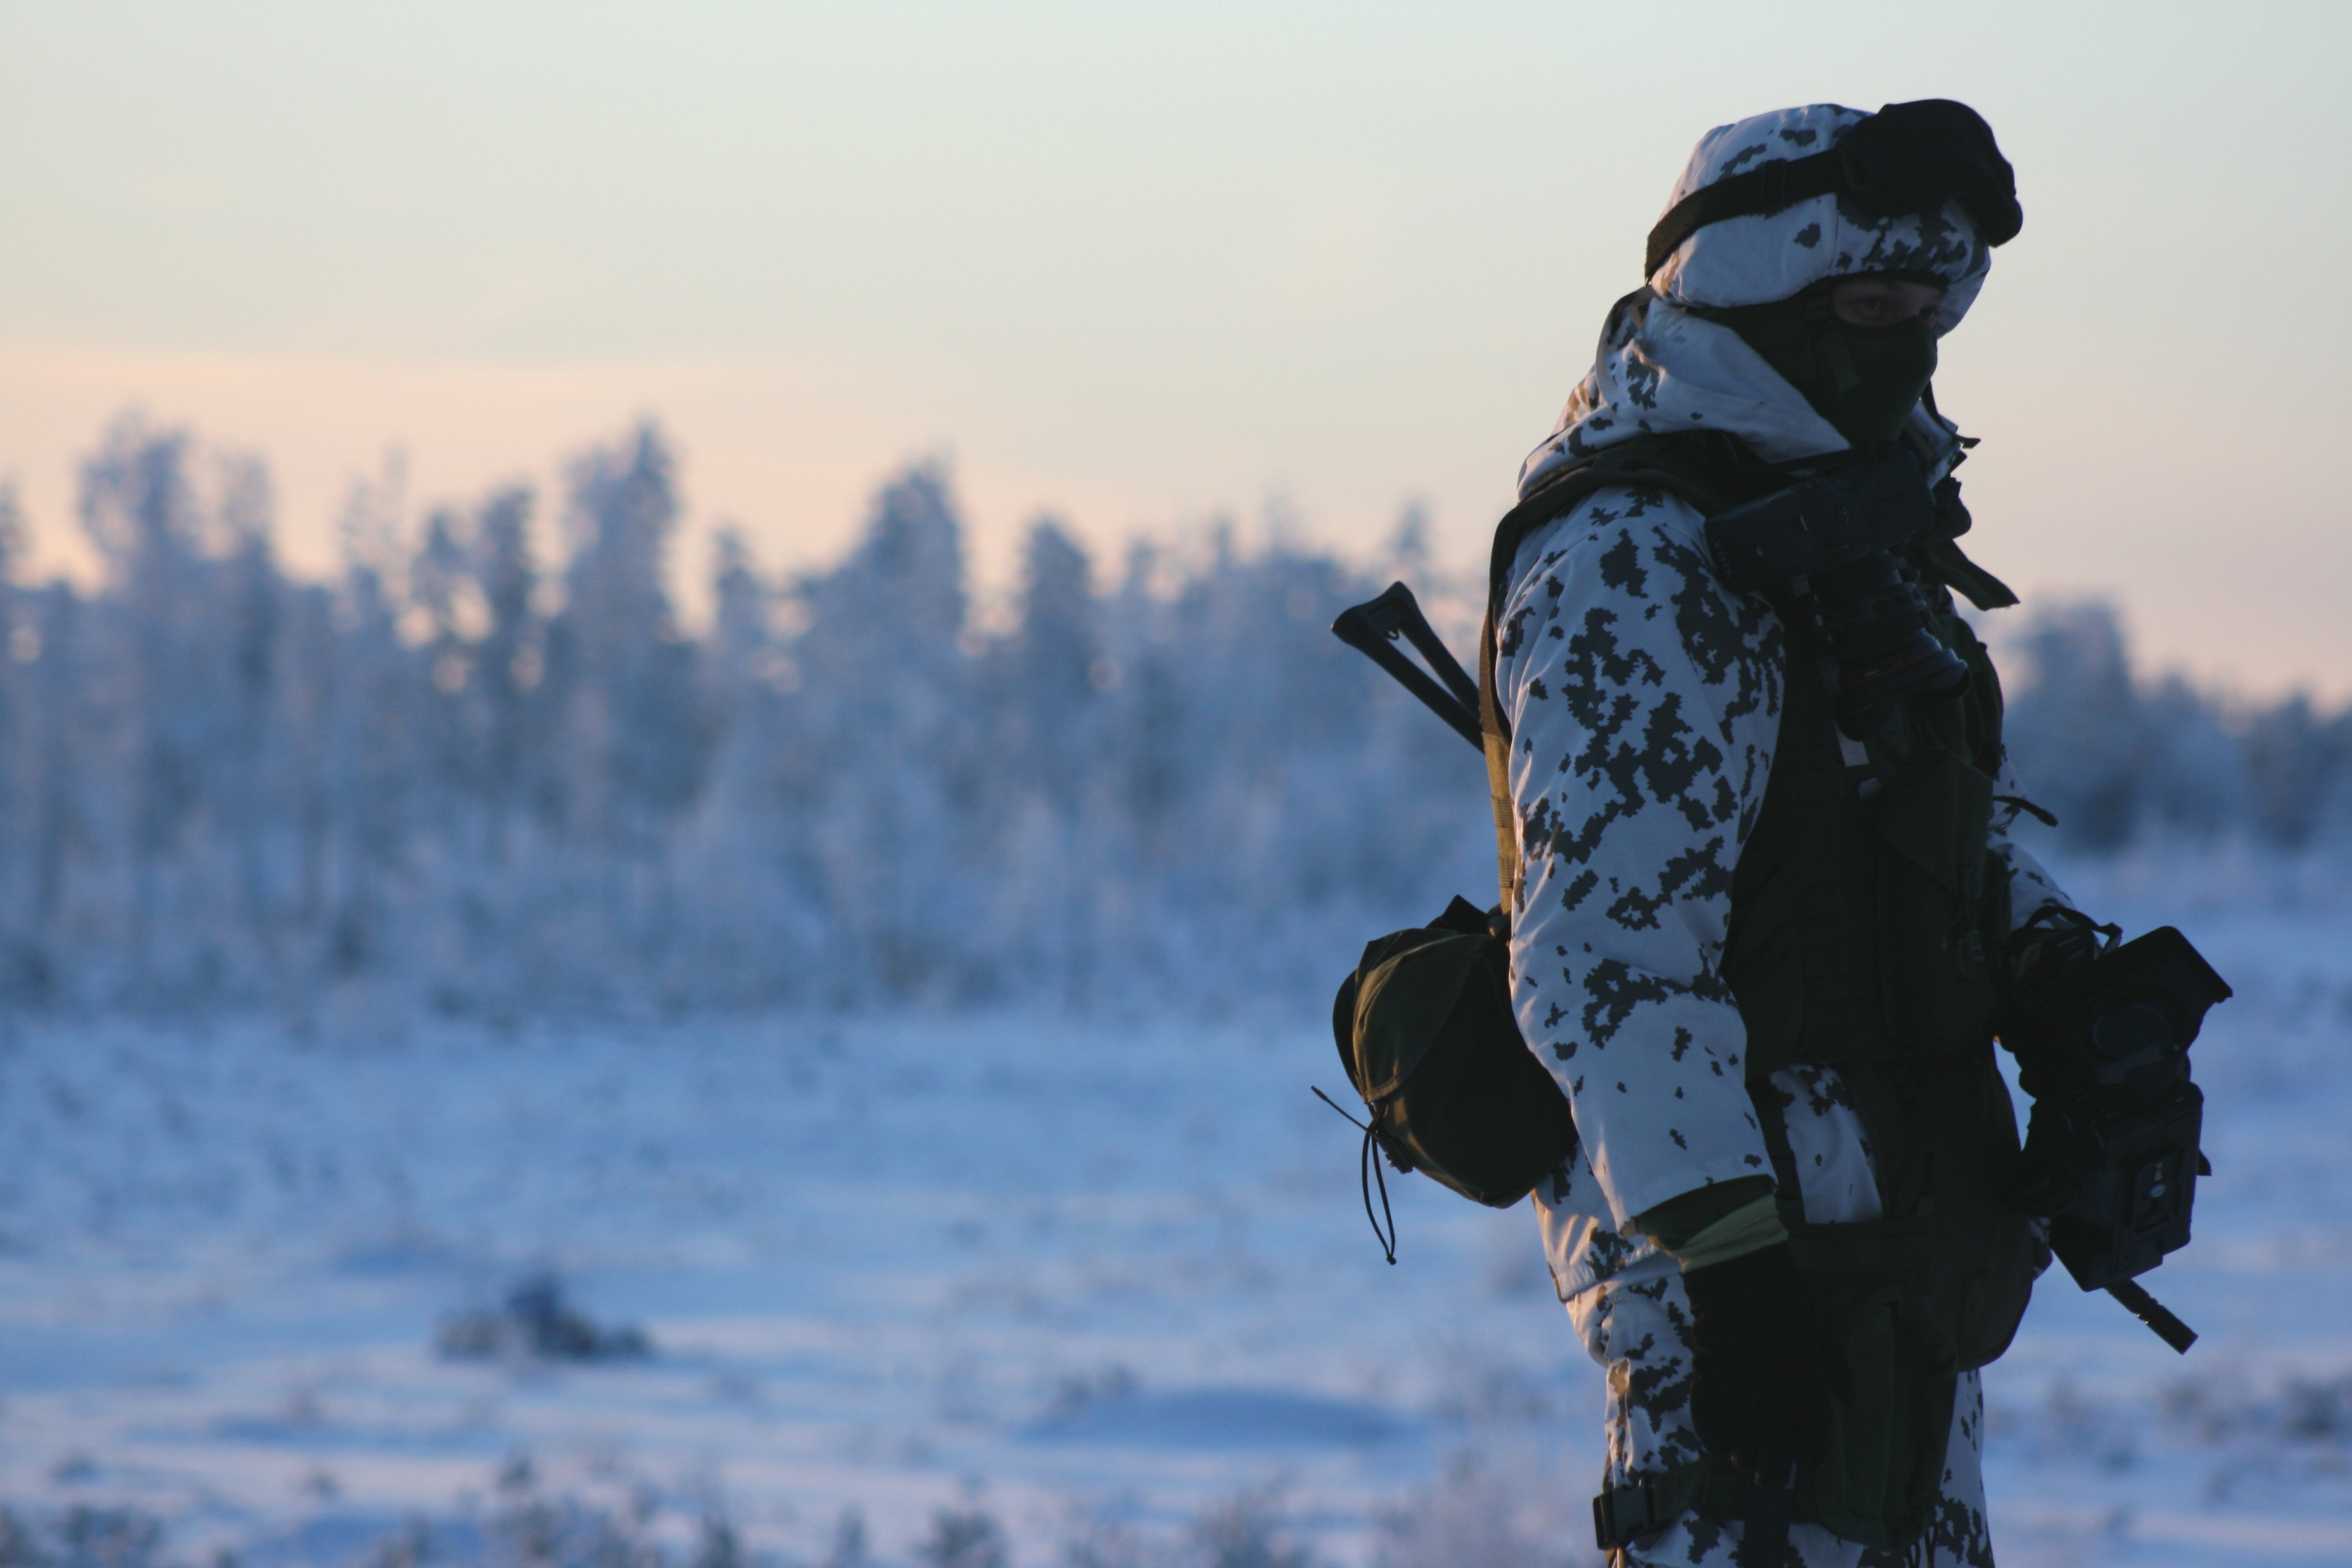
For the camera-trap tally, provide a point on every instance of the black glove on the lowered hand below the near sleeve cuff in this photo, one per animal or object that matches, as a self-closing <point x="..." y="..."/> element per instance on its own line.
<point x="1760" y="1365"/>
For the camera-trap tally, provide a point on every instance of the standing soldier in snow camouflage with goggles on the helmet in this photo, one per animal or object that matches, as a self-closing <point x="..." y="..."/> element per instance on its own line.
<point x="1760" y="906"/>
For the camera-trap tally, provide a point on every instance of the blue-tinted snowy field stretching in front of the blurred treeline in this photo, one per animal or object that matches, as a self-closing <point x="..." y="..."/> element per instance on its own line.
<point x="980" y="1289"/>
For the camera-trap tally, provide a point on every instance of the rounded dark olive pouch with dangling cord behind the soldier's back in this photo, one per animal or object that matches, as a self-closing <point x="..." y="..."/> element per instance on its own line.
<point x="1426" y="1036"/>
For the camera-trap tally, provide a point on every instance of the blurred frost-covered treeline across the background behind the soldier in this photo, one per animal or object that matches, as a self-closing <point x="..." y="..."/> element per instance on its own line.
<point x="472" y="779"/>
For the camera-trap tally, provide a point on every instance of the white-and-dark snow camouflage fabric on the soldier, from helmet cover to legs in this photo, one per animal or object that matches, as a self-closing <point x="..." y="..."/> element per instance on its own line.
<point x="1645" y="706"/>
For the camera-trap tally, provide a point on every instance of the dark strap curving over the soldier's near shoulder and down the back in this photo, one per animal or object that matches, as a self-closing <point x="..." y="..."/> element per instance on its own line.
<point x="1706" y="469"/>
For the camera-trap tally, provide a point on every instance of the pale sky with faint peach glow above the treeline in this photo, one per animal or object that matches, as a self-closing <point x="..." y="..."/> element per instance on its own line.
<point x="1151" y="264"/>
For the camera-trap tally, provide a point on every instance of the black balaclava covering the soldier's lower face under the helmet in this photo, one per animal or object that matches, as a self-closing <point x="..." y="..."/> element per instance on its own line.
<point x="1862" y="380"/>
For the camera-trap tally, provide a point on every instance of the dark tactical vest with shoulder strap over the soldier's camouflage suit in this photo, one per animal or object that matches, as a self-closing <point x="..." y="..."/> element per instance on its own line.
<point x="1866" y="923"/>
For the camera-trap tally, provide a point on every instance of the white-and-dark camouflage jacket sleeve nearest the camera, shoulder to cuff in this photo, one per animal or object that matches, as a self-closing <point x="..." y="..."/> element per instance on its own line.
<point x="1643" y="702"/>
